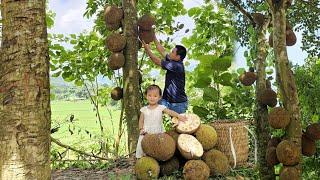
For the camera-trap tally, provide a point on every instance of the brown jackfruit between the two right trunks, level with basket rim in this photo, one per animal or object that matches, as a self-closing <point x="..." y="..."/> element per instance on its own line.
<point x="279" y="118"/>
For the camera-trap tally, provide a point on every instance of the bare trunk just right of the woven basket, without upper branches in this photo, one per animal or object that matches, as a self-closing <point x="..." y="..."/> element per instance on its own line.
<point x="261" y="111"/>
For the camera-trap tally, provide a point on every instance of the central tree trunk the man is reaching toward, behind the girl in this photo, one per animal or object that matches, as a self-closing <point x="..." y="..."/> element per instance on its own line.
<point x="131" y="96"/>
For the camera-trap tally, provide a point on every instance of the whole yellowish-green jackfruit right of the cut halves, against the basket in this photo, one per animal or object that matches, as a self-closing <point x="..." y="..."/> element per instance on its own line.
<point x="207" y="136"/>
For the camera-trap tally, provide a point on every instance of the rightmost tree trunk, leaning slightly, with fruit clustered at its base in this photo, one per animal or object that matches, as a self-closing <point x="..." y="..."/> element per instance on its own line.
<point x="284" y="73"/>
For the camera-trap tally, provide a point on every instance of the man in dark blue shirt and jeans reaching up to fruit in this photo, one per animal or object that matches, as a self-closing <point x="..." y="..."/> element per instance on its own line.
<point x="174" y="96"/>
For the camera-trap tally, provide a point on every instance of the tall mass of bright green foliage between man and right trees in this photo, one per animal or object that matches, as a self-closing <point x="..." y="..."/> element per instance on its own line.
<point x="222" y="97"/>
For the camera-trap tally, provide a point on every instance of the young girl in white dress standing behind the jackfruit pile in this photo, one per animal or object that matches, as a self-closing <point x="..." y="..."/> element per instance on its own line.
<point x="150" y="120"/>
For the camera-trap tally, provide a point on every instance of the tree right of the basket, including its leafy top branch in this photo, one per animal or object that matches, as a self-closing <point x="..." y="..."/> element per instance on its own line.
<point x="256" y="32"/>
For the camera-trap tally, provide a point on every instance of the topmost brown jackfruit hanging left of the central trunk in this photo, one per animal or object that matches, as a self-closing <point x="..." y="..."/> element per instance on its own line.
<point x="112" y="14"/>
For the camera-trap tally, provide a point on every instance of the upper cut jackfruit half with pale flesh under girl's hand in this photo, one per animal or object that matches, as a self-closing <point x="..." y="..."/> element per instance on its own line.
<point x="187" y="127"/>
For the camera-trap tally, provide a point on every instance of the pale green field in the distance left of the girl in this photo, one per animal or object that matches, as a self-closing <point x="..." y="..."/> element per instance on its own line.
<point x="84" y="123"/>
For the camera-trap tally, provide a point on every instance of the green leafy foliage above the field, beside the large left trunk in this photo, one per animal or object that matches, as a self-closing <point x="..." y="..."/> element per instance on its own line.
<point x="85" y="61"/>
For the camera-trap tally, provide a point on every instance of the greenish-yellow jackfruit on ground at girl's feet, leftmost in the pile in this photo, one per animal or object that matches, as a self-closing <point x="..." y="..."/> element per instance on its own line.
<point x="147" y="168"/>
